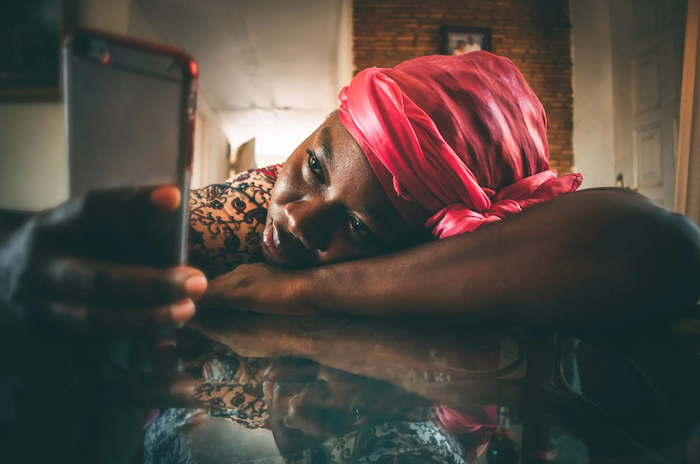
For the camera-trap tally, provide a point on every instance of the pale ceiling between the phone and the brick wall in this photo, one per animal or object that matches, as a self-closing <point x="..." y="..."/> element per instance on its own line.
<point x="256" y="54"/>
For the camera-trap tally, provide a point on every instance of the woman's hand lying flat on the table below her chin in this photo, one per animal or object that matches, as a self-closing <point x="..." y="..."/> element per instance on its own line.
<point x="259" y="288"/>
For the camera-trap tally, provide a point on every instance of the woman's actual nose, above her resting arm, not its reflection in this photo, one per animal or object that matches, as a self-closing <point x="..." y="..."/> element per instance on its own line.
<point x="308" y="221"/>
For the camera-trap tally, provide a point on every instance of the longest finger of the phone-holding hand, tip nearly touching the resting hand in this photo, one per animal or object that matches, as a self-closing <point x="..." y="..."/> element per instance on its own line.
<point x="97" y="283"/>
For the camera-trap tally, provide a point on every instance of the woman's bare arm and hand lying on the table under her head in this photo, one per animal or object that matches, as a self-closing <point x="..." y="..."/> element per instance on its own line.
<point x="602" y="257"/>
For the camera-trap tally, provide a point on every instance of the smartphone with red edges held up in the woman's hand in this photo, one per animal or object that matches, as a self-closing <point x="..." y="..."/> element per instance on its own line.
<point x="130" y="111"/>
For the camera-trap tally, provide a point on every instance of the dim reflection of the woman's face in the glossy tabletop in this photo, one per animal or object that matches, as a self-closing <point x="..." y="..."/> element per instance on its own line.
<point x="310" y="404"/>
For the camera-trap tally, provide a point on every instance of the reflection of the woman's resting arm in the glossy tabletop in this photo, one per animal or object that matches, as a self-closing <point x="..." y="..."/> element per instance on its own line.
<point x="397" y="353"/>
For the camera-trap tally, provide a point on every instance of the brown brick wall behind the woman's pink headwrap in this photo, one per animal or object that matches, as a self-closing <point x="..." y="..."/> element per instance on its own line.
<point x="535" y="34"/>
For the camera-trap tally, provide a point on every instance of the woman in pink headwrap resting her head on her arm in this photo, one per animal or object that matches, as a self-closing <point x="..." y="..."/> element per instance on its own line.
<point x="441" y="145"/>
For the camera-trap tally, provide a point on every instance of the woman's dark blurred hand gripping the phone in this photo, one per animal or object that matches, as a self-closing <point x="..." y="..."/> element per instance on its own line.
<point x="87" y="265"/>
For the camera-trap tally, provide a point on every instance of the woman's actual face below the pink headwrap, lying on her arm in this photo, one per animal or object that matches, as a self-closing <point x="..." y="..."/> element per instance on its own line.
<point x="328" y="206"/>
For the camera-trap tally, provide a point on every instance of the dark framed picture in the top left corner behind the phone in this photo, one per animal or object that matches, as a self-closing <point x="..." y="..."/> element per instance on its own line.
<point x="31" y="32"/>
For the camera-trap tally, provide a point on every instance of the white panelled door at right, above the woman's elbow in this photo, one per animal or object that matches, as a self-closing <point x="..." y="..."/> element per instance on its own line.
<point x="647" y="52"/>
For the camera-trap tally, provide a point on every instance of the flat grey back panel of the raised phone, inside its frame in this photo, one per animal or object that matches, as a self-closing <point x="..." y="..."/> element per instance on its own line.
<point x="125" y="123"/>
